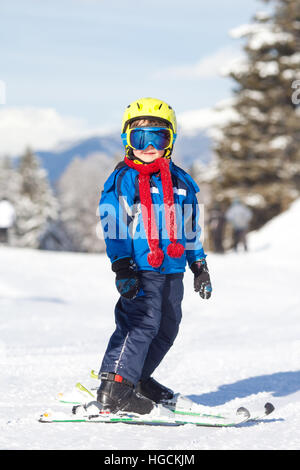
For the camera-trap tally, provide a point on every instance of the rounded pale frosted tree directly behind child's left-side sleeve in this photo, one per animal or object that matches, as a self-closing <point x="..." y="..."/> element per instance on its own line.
<point x="79" y="190"/>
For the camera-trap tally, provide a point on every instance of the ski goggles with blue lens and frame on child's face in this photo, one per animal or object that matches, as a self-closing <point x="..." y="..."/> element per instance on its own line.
<point x="139" y="138"/>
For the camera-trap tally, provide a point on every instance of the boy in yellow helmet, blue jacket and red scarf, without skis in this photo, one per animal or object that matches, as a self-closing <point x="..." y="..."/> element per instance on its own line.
<point x="149" y="216"/>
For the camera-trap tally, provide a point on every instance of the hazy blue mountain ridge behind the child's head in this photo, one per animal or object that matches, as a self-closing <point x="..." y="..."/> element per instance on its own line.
<point x="188" y="149"/>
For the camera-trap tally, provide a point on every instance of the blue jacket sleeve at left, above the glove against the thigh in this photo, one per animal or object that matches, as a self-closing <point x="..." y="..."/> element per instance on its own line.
<point x="115" y="215"/>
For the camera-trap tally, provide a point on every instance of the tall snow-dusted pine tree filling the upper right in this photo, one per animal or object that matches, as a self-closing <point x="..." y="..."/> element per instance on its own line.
<point x="259" y="153"/>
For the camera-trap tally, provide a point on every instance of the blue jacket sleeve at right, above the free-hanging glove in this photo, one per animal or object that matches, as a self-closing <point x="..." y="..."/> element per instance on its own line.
<point x="194" y="248"/>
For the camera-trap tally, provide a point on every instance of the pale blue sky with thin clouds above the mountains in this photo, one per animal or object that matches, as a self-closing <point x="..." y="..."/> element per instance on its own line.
<point x="87" y="59"/>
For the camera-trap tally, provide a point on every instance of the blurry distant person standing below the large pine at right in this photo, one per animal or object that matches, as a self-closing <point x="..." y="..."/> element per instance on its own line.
<point x="239" y="216"/>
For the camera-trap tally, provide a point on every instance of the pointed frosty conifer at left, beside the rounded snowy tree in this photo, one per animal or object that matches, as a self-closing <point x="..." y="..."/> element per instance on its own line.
<point x="36" y="204"/>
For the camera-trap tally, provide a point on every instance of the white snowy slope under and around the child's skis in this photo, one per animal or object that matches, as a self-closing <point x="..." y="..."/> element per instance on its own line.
<point x="240" y="348"/>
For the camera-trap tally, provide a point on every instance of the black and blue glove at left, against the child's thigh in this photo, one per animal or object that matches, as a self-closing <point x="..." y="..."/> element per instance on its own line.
<point x="127" y="281"/>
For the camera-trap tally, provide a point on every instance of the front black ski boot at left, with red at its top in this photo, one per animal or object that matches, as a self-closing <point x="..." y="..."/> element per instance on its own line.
<point x="118" y="394"/>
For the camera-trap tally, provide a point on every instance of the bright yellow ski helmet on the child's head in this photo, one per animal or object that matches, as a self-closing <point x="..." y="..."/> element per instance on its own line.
<point x="150" y="108"/>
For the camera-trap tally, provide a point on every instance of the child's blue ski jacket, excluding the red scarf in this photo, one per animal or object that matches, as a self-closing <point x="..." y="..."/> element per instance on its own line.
<point x="122" y="221"/>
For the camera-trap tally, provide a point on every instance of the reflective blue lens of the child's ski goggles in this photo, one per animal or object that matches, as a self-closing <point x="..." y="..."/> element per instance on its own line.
<point x="141" y="138"/>
